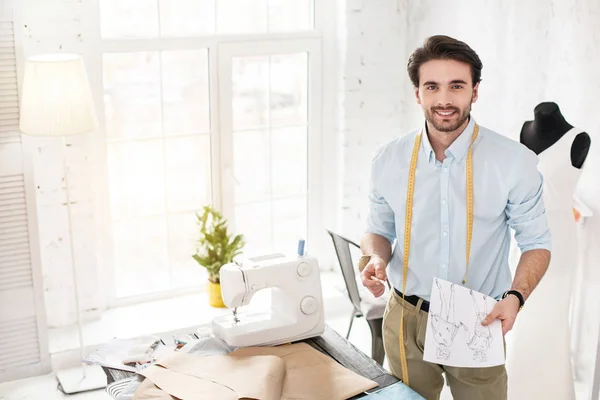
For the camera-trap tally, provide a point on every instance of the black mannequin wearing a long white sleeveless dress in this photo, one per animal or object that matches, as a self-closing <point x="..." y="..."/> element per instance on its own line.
<point x="538" y="357"/>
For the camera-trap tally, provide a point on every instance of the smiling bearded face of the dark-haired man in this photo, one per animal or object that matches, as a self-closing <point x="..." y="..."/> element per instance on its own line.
<point x="446" y="93"/>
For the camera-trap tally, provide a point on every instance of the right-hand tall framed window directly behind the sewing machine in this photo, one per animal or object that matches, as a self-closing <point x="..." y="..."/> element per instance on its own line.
<point x="266" y="130"/>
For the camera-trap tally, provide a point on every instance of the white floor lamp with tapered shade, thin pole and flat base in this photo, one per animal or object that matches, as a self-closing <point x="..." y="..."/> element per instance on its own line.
<point x="56" y="100"/>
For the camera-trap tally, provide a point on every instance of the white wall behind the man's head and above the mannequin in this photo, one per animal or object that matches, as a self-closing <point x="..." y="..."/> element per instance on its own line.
<point x="532" y="51"/>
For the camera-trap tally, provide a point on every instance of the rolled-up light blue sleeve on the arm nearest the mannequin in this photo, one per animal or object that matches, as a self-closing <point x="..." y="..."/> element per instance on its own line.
<point x="525" y="209"/>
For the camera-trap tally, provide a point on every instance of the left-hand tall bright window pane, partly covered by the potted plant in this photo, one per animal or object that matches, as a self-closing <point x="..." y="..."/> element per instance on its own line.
<point x="159" y="165"/>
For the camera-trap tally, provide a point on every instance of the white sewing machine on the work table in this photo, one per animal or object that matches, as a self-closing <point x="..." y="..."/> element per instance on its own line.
<point x="296" y="305"/>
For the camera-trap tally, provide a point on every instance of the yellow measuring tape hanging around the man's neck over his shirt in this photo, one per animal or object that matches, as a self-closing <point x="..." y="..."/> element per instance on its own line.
<point x="407" y="230"/>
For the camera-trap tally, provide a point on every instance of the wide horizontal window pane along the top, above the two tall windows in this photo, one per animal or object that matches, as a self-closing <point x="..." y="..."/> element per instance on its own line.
<point x="125" y="19"/>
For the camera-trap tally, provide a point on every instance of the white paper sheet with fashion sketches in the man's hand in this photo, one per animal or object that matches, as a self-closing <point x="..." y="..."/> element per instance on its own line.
<point x="454" y="335"/>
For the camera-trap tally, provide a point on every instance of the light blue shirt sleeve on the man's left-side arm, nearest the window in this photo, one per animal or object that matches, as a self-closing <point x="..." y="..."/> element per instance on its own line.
<point x="380" y="216"/>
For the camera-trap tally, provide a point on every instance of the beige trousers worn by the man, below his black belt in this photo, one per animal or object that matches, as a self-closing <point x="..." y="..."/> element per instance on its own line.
<point x="426" y="378"/>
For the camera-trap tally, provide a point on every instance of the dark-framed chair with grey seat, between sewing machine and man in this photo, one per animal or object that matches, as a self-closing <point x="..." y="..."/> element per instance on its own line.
<point x="365" y="305"/>
